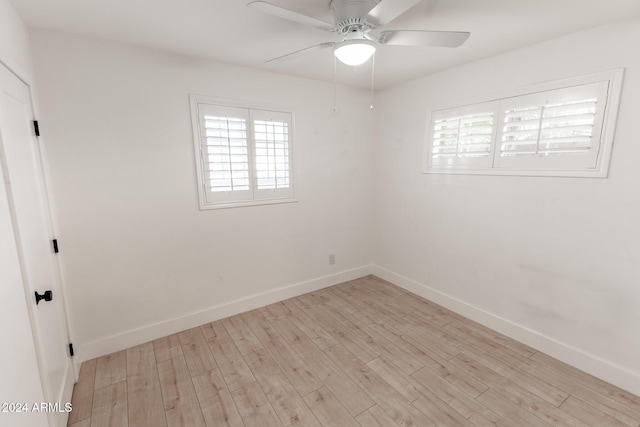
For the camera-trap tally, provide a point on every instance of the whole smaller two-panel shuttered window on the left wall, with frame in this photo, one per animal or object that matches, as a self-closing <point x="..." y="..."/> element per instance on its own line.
<point x="243" y="153"/>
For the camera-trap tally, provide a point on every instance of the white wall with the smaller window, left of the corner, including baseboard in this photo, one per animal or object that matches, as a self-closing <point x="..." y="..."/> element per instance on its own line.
<point x="140" y="259"/>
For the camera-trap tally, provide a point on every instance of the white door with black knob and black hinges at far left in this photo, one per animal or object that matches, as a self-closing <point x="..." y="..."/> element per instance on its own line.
<point x="31" y="217"/>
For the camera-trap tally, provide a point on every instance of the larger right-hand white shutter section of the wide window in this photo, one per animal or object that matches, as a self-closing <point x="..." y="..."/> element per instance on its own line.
<point x="556" y="129"/>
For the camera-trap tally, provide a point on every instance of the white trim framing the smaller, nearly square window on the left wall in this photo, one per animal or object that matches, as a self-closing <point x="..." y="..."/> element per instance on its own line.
<point x="258" y="197"/>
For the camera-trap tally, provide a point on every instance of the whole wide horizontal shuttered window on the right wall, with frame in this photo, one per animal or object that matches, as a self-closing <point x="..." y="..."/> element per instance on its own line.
<point x="558" y="129"/>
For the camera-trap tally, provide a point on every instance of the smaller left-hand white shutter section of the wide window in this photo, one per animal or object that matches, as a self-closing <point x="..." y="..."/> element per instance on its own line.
<point x="462" y="137"/>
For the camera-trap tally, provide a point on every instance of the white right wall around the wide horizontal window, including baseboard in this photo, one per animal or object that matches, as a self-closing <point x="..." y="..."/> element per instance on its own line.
<point x="552" y="261"/>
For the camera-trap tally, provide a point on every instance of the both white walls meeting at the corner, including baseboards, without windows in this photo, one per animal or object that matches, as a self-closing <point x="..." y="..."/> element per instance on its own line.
<point x="553" y="262"/>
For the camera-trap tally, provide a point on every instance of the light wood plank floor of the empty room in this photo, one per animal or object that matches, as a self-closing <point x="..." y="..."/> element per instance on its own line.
<point x="362" y="353"/>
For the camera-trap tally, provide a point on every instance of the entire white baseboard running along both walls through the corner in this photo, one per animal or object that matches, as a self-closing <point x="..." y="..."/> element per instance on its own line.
<point x="589" y="363"/>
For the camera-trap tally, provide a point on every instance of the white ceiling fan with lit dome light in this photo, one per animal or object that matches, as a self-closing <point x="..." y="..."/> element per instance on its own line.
<point x="358" y="23"/>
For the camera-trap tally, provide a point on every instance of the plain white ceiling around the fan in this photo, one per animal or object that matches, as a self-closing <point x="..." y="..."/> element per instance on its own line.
<point x="228" y="31"/>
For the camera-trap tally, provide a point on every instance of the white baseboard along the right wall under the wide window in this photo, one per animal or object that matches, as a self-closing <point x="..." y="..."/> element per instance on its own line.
<point x="607" y="371"/>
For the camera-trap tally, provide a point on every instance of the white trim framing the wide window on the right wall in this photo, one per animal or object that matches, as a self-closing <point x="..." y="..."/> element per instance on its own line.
<point x="604" y="144"/>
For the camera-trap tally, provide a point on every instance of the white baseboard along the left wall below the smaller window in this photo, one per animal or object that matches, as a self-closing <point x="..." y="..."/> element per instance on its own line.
<point x="148" y="333"/>
